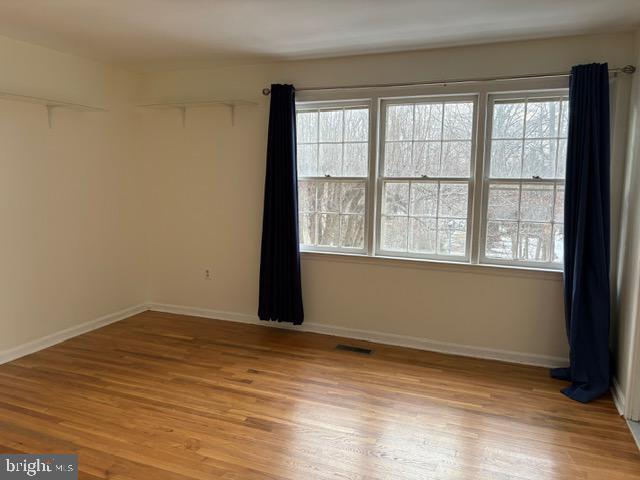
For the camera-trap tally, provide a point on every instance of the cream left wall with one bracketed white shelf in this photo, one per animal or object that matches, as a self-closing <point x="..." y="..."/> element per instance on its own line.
<point x="72" y="243"/>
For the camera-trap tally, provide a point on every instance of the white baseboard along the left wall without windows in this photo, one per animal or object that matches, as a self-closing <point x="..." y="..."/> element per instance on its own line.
<point x="61" y="336"/>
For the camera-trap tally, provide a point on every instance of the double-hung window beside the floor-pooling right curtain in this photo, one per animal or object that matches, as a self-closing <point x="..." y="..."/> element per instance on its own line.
<point x="524" y="180"/>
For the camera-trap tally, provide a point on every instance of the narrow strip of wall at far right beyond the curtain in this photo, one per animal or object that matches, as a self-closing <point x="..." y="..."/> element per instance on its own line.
<point x="626" y="332"/>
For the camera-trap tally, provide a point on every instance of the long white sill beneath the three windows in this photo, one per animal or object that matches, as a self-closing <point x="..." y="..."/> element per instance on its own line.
<point x="457" y="267"/>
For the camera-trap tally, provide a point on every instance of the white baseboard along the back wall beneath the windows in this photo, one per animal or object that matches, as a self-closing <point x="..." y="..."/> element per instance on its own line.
<point x="373" y="336"/>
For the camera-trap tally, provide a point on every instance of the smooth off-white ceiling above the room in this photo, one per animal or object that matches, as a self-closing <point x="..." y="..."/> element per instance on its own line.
<point x="146" y="34"/>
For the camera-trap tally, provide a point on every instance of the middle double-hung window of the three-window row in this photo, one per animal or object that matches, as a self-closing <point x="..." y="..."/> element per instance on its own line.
<point x="424" y="177"/>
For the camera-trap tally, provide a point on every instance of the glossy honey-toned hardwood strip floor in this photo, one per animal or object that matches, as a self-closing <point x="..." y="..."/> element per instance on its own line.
<point x="160" y="396"/>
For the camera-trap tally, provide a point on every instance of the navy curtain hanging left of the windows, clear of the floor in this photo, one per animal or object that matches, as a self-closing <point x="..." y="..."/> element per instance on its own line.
<point x="280" y="286"/>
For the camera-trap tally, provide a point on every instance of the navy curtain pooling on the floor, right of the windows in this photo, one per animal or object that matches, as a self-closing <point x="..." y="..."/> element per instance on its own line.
<point x="586" y="235"/>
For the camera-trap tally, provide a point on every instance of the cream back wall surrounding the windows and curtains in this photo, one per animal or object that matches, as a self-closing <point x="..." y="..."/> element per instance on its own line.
<point x="207" y="187"/>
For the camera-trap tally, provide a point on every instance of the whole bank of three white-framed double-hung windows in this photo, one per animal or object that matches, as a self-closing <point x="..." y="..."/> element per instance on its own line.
<point x="473" y="178"/>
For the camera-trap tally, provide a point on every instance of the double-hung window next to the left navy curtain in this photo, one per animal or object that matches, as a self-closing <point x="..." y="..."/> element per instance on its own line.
<point x="333" y="167"/>
